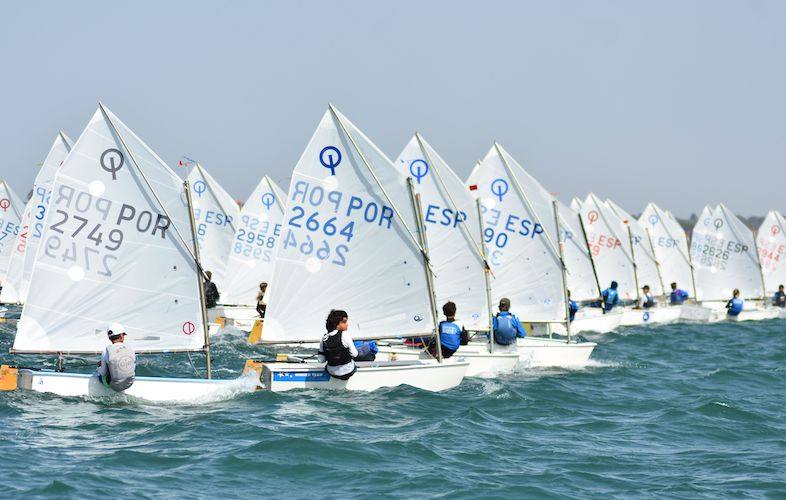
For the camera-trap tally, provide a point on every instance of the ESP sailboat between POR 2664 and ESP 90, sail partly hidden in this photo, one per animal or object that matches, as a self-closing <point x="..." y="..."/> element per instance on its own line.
<point x="452" y="229"/>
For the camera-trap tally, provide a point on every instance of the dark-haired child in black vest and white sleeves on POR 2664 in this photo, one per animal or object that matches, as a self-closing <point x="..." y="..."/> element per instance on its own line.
<point x="337" y="348"/>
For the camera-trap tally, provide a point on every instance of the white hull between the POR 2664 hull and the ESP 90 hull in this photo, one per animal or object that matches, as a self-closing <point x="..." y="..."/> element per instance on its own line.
<point x="481" y="362"/>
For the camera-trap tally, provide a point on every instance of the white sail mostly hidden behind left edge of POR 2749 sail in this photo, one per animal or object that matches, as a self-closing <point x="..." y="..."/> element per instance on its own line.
<point x="23" y="255"/>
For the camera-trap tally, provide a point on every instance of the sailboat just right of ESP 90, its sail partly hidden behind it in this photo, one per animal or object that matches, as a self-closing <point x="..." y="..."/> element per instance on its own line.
<point x="582" y="278"/>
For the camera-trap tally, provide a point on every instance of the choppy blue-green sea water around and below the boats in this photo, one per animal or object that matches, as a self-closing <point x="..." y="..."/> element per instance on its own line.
<point x="682" y="410"/>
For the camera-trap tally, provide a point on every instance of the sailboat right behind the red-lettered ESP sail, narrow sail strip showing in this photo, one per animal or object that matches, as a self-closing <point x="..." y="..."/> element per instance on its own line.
<point x="647" y="272"/>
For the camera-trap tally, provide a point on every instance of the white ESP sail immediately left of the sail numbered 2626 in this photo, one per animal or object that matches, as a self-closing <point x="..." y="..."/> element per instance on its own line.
<point x="670" y="245"/>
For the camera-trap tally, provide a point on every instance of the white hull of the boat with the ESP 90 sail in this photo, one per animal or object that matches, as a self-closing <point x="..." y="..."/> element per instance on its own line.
<point x="542" y="352"/>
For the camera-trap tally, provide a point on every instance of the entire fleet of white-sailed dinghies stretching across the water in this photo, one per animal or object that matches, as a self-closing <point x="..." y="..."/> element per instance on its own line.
<point x="111" y="235"/>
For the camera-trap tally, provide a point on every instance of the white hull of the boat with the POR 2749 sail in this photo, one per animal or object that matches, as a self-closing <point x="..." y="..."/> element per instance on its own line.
<point x="156" y="389"/>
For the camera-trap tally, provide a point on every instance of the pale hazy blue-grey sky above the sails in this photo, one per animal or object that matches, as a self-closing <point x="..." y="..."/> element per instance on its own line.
<point x="678" y="102"/>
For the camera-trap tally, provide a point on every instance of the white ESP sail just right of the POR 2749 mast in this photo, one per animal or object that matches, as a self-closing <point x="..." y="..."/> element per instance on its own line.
<point x="215" y="214"/>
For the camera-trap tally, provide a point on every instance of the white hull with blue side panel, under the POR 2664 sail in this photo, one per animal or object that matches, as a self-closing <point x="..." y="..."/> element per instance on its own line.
<point x="371" y="375"/>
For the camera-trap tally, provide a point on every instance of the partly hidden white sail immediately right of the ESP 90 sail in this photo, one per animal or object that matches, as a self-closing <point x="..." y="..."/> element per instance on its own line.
<point x="581" y="277"/>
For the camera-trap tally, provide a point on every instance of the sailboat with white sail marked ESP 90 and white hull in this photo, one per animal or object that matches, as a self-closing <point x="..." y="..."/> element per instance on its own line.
<point x="525" y="252"/>
